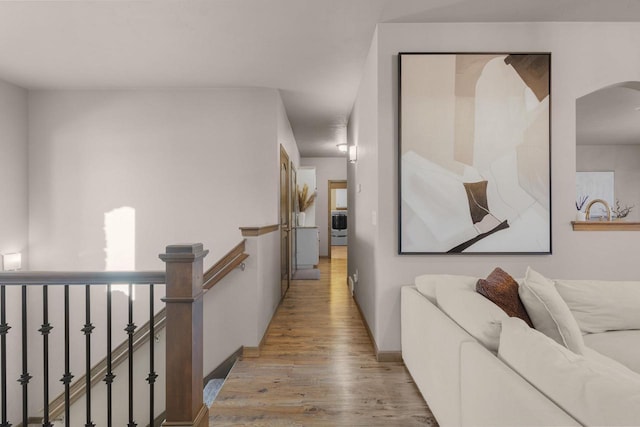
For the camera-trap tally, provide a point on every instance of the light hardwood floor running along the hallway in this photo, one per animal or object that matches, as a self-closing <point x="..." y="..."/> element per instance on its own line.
<point x="317" y="367"/>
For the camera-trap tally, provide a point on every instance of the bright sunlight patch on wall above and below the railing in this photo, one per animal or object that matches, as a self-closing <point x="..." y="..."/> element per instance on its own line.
<point x="120" y="238"/>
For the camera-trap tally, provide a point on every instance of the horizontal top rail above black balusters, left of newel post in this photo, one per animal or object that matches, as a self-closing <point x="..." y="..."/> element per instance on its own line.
<point x="81" y="277"/>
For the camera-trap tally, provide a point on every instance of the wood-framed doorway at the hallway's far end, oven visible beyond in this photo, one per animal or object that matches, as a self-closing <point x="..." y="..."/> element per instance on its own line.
<point x="337" y="223"/>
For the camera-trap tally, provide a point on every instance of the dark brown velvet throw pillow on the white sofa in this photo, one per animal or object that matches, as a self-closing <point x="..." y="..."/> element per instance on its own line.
<point x="502" y="289"/>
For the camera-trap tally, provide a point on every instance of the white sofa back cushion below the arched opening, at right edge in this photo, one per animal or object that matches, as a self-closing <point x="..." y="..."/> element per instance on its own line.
<point x="600" y="306"/>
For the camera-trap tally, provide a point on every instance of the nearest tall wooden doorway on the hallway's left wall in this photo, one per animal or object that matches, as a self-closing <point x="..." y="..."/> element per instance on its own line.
<point x="285" y="222"/>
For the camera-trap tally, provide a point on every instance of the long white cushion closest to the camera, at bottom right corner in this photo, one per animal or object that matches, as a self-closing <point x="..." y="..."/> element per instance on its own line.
<point x="594" y="393"/>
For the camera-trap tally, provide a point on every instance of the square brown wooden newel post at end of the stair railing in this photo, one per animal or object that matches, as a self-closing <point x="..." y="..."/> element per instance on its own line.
<point x="184" y="386"/>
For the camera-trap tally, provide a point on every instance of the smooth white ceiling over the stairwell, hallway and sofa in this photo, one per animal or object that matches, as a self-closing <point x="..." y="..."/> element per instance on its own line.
<point x="312" y="50"/>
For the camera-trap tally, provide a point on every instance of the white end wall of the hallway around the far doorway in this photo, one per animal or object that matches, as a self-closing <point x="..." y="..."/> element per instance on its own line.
<point x="327" y="168"/>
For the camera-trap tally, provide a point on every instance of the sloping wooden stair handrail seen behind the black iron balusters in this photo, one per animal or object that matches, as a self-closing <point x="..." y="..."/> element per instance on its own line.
<point x="118" y="356"/>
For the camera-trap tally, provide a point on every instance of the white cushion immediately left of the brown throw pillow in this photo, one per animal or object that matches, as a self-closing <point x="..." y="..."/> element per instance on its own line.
<point x="474" y="313"/>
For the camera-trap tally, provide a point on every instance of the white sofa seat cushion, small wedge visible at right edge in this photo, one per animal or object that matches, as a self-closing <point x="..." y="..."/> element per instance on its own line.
<point x="622" y="346"/>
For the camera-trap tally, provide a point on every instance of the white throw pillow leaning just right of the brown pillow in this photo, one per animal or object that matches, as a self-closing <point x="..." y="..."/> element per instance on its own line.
<point x="548" y="311"/>
